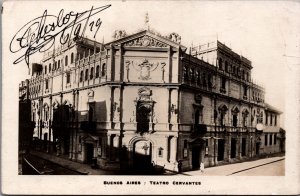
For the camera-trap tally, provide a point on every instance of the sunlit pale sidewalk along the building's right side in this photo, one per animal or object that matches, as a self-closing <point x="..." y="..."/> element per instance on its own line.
<point x="230" y="169"/>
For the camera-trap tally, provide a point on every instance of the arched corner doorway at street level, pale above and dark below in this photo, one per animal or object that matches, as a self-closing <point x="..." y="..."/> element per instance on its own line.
<point x="142" y="156"/>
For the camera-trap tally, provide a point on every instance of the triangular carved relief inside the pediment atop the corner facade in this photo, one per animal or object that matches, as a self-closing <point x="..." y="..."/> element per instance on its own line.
<point x="146" y="41"/>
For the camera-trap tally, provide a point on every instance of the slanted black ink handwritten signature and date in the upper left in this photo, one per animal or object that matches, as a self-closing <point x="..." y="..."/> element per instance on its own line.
<point x="39" y="34"/>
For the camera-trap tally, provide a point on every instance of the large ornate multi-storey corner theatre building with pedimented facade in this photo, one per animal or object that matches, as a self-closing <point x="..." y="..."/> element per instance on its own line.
<point x="145" y="99"/>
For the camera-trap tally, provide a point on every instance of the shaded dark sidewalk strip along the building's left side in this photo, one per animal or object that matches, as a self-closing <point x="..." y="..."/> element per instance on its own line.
<point x="64" y="162"/>
